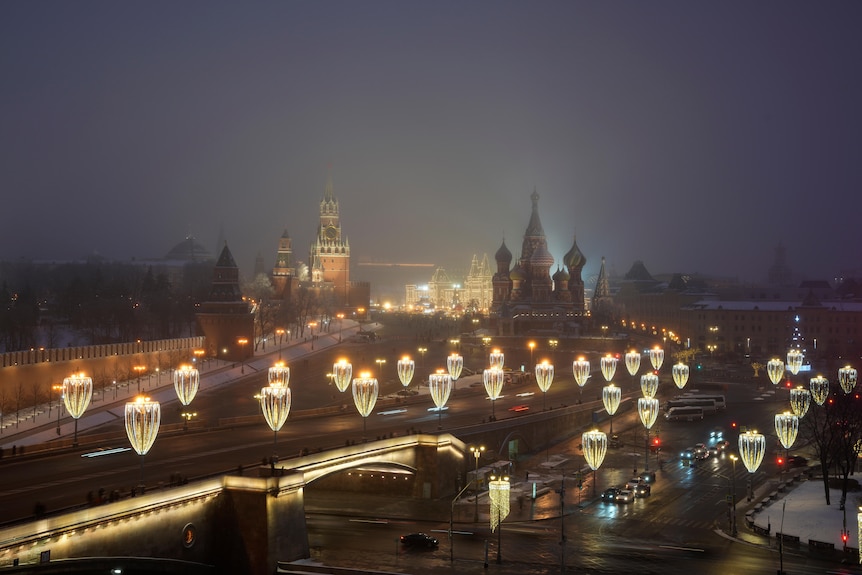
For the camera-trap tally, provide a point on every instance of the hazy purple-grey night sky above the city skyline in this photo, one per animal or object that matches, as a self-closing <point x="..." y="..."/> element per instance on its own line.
<point x="695" y="136"/>
